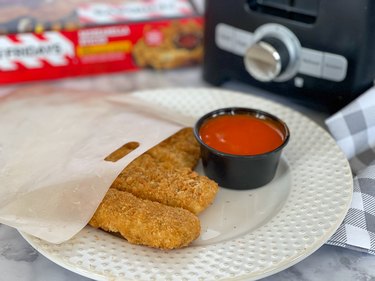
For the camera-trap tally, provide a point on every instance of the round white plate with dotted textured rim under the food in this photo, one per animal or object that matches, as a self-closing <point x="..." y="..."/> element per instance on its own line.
<point x="246" y="235"/>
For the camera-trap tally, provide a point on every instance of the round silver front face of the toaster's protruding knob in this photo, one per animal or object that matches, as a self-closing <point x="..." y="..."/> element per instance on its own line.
<point x="263" y="61"/>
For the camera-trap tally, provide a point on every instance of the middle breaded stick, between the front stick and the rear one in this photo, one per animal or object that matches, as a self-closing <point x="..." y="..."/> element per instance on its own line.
<point x="183" y="187"/>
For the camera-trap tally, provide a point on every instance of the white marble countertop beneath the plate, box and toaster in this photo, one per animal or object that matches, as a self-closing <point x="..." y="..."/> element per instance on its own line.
<point x="20" y="262"/>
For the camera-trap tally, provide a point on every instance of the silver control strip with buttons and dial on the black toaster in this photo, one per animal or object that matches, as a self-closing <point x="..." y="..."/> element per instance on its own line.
<point x="273" y="53"/>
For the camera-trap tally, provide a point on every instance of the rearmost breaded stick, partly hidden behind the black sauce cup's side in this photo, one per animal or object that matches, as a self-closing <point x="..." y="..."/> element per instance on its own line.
<point x="180" y="150"/>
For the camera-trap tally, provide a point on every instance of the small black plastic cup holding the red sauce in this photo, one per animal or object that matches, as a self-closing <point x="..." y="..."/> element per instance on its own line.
<point x="240" y="171"/>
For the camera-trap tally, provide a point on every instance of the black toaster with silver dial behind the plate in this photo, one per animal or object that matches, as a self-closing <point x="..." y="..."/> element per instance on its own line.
<point x="318" y="52"/>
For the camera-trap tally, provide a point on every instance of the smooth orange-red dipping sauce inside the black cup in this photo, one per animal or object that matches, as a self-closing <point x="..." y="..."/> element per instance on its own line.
<point x="241" y="134"/>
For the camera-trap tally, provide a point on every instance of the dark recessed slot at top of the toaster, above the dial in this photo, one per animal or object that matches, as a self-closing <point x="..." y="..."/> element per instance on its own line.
<point x="298" y="10"/>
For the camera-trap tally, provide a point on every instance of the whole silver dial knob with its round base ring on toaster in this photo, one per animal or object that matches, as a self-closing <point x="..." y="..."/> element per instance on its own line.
<point x="274" y="54"/>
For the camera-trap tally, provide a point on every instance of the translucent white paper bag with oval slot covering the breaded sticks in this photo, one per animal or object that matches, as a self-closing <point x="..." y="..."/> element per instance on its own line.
<point x="52" y="148"/>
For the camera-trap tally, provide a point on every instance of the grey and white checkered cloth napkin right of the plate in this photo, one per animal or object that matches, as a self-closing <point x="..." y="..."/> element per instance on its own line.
<point x="353" y="127"/>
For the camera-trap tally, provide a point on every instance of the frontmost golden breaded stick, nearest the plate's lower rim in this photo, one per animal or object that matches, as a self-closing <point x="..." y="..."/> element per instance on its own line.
<point x="145" y="222"/>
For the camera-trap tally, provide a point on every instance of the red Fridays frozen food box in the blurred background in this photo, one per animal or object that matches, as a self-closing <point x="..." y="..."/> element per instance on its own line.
<point x="50" y="39"/>
